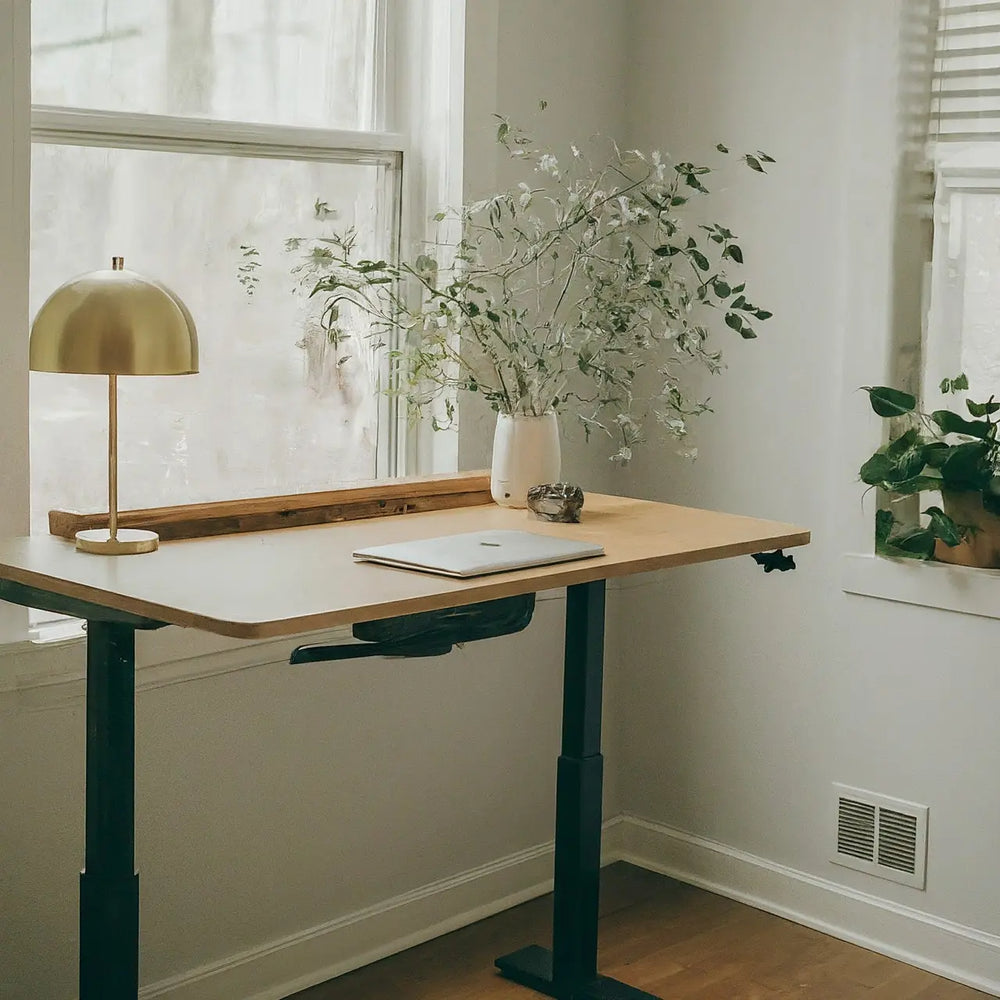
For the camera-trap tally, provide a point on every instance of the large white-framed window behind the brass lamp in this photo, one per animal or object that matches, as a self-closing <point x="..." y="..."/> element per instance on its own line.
<point x="172" y="132"/>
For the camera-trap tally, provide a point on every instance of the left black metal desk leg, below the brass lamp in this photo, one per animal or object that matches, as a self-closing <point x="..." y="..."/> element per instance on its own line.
<point x="109" y="885"/>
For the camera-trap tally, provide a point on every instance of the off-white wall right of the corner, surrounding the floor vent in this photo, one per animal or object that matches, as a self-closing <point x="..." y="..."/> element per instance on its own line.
<point x="746" y="696"/>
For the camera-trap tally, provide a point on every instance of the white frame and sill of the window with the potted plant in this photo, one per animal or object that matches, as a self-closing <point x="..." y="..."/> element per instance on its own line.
<point x="874" y="298"/>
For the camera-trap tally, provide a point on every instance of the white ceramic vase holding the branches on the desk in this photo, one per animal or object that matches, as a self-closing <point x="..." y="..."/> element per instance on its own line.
<point x="525" y="454"/>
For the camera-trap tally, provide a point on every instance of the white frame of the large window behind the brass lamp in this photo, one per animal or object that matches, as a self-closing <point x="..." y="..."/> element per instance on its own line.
<point x="413" y="35"/>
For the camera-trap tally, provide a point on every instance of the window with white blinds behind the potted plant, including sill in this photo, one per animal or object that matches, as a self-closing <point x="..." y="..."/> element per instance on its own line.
<point x="945" y="81"/>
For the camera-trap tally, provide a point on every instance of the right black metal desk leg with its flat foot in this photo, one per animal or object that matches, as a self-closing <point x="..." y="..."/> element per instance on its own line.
<point x="569" y="970"/>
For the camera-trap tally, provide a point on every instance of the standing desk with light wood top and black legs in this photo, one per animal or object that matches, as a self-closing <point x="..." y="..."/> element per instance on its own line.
<point x="293" y="580"/>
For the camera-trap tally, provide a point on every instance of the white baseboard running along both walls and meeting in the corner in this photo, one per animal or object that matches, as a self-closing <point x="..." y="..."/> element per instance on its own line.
<point x="283" y="967"/>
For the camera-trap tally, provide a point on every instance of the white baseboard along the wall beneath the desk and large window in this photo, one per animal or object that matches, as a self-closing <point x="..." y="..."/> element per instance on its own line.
<point x="313" y="956"/>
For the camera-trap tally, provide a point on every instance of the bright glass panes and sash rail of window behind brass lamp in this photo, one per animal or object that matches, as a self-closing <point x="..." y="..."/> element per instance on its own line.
<point x="276" y="408"/>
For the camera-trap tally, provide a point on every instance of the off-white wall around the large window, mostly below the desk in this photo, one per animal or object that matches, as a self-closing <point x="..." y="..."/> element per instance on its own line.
<point x="274" y="801"/>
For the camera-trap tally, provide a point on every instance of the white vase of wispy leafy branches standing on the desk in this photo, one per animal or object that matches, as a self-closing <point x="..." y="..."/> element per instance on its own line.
<point x="582" y="290"/>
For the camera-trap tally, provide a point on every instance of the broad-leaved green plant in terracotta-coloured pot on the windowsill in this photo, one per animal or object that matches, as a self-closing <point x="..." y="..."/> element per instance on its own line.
<point x="952" y="453"/>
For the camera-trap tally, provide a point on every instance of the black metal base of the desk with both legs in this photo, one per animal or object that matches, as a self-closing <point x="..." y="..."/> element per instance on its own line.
<point x="109" y="885"/>
